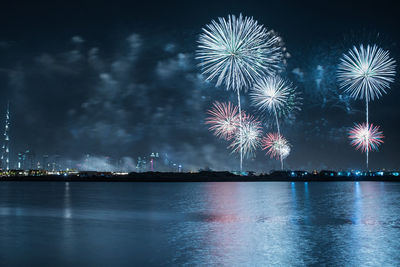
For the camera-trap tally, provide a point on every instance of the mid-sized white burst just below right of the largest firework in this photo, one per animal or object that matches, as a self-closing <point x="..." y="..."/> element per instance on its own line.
<point x="275" y="95"/>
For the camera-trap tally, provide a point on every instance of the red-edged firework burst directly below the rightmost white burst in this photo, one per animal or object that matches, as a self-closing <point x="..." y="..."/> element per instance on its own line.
<point x="366" y="137"/>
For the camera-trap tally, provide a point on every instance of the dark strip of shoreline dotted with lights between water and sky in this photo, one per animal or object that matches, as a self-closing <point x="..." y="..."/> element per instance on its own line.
<point x="210" y="176"/>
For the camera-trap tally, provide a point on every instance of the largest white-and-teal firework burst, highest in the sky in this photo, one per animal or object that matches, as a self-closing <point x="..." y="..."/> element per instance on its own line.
<point x="237" y="50"/>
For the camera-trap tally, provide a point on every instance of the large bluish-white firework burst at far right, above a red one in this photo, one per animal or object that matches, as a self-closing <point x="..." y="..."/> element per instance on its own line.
<point x="366" y="72"/>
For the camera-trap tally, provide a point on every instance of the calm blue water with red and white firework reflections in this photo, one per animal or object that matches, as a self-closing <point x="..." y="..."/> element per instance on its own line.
<point x="220" y="224"/>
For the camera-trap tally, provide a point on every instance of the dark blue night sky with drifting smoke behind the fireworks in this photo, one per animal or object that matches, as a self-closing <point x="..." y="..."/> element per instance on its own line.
<point x="120" y="80"/>
